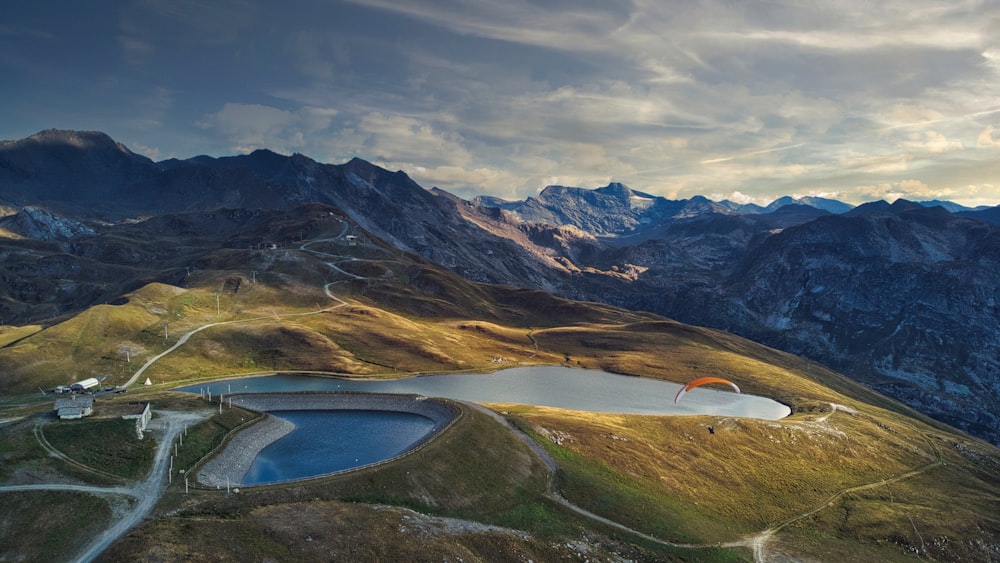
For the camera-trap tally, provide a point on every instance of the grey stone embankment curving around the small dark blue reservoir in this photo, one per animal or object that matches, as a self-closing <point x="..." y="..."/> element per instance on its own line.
<point x="230" y="466"/>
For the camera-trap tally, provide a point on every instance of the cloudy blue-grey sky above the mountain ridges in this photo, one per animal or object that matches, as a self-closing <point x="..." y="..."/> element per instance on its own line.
<point x="742" y="100"/>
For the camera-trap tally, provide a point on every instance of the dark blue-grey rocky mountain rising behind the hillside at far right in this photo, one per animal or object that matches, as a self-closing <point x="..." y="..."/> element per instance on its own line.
<point x="904" y="299"/>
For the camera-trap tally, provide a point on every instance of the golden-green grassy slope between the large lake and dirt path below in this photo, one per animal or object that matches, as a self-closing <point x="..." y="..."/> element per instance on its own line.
<point x="880" y="481"/>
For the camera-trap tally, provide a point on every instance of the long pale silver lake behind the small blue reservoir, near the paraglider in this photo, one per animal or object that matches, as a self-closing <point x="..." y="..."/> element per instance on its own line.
<point x="549" y="386"/>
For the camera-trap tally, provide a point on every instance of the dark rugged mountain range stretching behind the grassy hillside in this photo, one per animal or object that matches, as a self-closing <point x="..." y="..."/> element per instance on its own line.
<point x="901" y="296"/>
